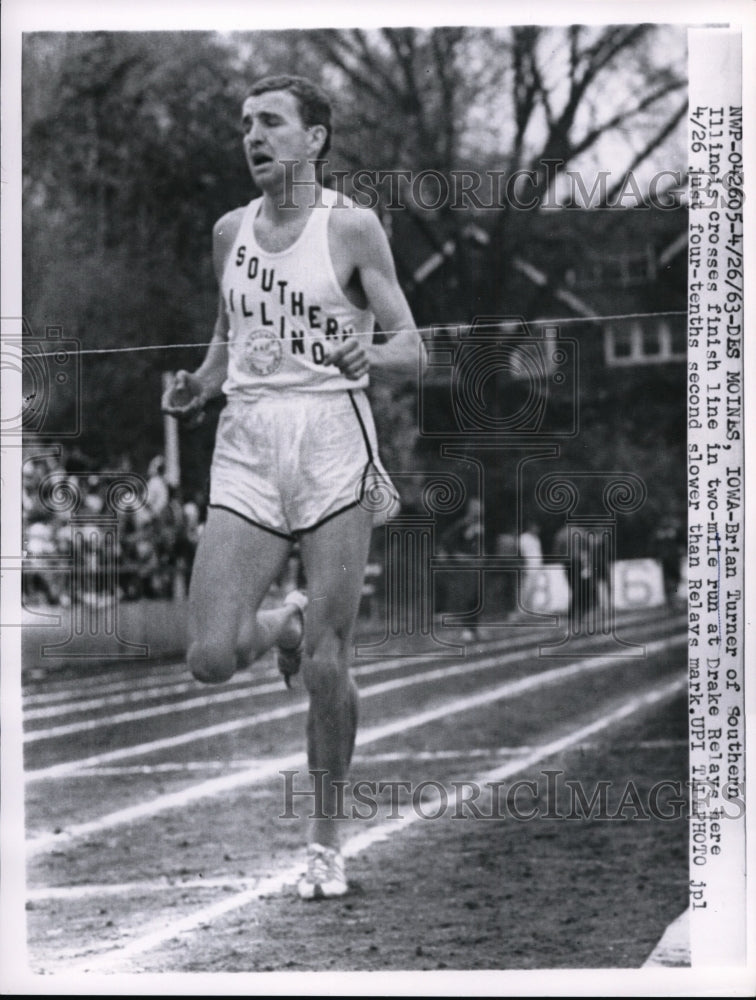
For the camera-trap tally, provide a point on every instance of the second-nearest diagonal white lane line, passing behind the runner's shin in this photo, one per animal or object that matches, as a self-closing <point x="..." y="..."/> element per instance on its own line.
<point x="265" y="770"/>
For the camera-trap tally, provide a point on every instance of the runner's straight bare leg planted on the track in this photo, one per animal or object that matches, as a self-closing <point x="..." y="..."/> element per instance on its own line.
<point x="334" y="557"/>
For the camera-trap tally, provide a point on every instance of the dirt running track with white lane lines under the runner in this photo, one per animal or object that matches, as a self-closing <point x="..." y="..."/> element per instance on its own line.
<point x="156" y="843"/>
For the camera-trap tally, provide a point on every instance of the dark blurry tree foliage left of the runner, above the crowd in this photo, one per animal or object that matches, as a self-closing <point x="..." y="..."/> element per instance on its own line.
<point x="130" y="154"/>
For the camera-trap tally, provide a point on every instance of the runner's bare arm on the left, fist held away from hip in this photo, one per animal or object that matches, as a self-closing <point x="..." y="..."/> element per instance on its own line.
<point x="190" y="391"/>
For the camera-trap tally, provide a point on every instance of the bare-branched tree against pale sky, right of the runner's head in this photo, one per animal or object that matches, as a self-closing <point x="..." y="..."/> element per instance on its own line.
<point x="519" y="99"/>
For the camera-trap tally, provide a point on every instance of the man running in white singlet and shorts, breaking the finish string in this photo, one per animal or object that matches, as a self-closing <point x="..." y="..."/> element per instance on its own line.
<point x="304" y="274"/>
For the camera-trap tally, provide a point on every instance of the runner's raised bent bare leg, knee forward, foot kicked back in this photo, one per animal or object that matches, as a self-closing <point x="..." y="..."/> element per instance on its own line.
<point x="235" y="565"/>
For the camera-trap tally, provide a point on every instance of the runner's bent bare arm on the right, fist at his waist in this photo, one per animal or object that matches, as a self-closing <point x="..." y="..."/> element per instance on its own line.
<point x="403" y="351"/>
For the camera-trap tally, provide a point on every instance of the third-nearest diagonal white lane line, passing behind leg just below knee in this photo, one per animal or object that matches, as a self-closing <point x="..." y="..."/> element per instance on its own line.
<point x="273" y="715"/>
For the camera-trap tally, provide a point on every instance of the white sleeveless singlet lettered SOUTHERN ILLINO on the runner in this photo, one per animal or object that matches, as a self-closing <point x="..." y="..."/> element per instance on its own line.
<point x="286" y="309"/>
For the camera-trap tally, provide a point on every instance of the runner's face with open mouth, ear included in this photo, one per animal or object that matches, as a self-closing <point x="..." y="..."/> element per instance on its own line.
<point x="273" y="133"/>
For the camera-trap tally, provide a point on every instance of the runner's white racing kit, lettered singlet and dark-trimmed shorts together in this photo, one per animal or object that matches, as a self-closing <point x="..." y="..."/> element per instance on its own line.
<point x="296" y="442"/>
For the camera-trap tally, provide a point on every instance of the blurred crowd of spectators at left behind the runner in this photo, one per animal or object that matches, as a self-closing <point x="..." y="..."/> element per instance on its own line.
<point x="80" y="546"/>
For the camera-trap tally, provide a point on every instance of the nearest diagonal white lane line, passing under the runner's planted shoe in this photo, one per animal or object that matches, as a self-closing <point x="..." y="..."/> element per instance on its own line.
<point x="160" y="932"/>
